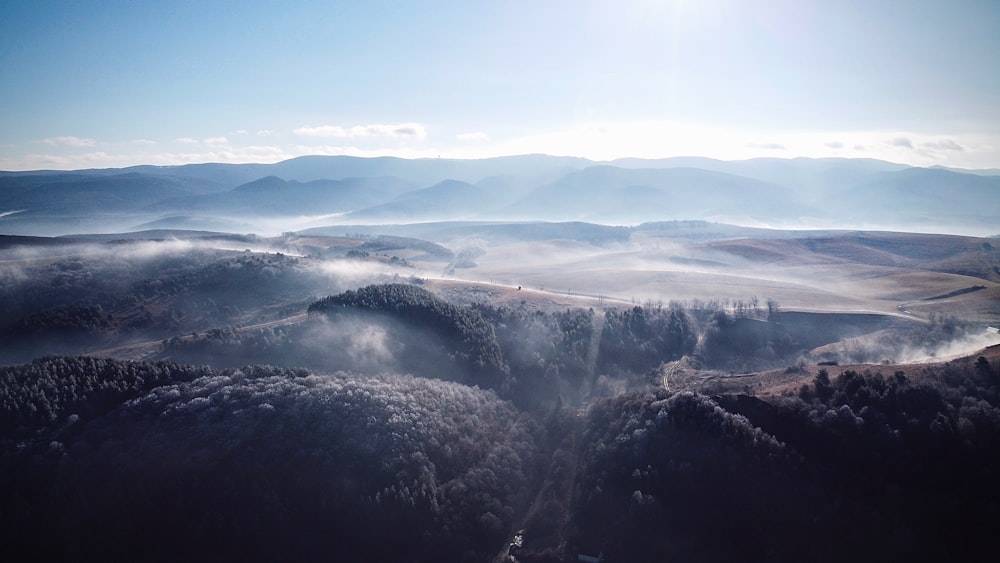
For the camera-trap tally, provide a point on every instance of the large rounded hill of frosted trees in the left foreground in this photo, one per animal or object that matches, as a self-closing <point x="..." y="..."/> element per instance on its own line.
<point x="260" y="464"/>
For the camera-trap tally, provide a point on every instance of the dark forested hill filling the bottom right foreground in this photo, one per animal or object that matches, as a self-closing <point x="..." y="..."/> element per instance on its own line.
<point x="860" y="466"/>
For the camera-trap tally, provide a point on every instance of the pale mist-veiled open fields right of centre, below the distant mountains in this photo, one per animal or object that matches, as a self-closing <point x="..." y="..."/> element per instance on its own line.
<point x="834" y="273"/>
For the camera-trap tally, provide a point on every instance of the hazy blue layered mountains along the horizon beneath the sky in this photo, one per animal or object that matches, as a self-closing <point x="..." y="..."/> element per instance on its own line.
<point x="800" y="192"/>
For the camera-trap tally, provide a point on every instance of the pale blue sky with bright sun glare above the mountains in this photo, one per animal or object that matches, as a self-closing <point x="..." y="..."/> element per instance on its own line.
<point x="96" y="84"/>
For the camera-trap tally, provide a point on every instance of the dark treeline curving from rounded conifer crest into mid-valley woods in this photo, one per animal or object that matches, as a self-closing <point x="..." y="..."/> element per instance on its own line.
<point x="534" y="345"/>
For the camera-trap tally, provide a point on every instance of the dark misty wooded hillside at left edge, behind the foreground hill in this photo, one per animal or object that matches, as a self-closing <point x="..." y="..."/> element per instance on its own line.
<point x="92" y="294"/>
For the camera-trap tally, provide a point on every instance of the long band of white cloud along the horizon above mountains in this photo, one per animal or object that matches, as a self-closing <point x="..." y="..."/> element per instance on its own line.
<point x="597" y="140"/>
